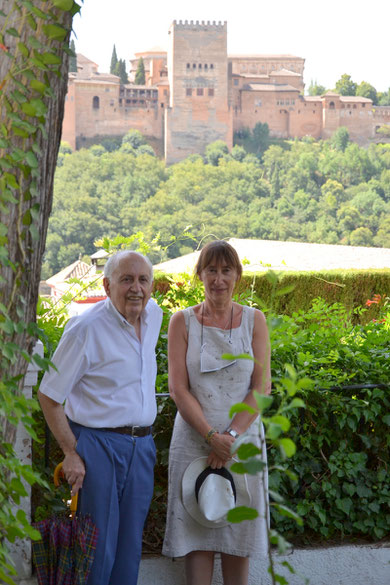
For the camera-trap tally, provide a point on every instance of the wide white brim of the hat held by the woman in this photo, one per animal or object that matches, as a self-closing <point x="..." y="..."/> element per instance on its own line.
<point x="188" y="492"/>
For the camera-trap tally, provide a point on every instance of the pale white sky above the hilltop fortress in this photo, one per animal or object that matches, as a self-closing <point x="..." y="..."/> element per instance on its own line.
<point x="333" y="36"/>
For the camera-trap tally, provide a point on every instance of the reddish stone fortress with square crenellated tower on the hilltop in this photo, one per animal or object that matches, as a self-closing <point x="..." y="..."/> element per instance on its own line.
<point x="195" y="93"/>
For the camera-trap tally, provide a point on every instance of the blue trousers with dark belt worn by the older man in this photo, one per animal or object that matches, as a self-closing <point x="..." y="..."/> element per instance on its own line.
<point x="117" y="491"/>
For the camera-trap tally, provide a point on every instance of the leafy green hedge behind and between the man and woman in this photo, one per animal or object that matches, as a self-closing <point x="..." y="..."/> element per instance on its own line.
<point x="342" y="436"/>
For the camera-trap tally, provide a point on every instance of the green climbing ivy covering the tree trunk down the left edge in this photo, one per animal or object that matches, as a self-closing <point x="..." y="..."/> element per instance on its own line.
<point x="34" y="49"/>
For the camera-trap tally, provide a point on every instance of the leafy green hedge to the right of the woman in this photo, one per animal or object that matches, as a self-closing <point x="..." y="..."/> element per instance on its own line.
<point x="343" y="436"/>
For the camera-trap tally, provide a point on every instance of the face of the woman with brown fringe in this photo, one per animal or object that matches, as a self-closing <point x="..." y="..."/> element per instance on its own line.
<point x="219" y="281"/>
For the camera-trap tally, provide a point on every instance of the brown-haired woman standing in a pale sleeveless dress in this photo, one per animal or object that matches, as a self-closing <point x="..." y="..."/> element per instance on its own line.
<point x="204" y="387"/>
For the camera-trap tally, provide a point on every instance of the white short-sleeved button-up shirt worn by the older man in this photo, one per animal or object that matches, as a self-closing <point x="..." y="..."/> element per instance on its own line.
<point x="106" y="375"/>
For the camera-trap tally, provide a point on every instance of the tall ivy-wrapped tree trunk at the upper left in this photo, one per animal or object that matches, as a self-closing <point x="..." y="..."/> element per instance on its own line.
<point x="29" y="154"/>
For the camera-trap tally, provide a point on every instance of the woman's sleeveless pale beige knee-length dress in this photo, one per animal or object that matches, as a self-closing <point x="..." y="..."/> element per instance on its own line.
<point x="216" y="392"/>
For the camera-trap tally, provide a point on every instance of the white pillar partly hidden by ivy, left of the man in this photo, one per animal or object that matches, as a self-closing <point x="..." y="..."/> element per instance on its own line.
<point x="21" y="549"/>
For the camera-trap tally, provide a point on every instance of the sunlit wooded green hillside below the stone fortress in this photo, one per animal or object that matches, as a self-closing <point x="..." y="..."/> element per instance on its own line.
<point x="326" y="192"/>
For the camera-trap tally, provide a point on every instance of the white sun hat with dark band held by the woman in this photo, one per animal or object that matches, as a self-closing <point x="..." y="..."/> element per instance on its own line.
<point x="208" y="494"/>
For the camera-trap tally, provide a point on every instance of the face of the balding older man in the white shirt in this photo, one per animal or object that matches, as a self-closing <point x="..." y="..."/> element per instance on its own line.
<point x="130" y="286"/>
